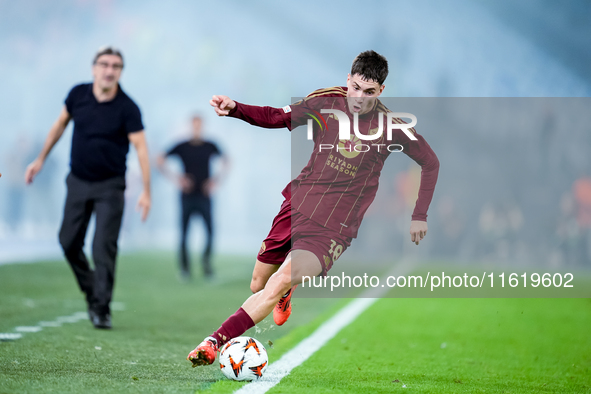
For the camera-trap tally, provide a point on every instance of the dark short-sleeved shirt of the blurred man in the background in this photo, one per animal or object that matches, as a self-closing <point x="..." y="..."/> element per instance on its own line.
<point x="195" y="156"/>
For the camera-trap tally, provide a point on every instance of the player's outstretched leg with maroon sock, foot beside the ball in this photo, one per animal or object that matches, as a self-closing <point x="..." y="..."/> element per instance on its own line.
<point x="299" y="263"/>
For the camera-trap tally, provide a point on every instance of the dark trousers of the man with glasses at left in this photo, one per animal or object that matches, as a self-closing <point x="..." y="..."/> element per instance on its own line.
<point x="106" y="200"/>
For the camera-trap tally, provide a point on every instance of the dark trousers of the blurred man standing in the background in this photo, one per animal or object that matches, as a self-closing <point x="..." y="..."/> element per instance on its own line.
<point x="196" y="204"/>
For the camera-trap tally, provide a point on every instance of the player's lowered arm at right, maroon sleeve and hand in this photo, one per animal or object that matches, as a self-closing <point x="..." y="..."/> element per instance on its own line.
<point x="423" y="155"/>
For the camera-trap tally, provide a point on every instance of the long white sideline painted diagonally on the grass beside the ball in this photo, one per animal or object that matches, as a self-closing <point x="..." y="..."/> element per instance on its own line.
<point x="296" y="356"/>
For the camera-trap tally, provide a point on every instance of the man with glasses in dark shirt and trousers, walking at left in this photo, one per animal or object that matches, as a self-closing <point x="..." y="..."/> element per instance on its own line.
<point x="106" y="120"/>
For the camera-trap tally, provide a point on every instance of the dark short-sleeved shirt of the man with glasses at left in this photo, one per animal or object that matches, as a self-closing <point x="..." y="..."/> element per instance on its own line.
<point x="100" y="140"/>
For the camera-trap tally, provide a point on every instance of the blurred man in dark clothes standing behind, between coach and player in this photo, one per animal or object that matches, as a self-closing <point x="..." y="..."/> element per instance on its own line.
<point x="196" y="185"/>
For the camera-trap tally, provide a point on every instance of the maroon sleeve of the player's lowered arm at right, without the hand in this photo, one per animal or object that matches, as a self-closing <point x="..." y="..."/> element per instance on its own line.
<point x="423" y="155"/>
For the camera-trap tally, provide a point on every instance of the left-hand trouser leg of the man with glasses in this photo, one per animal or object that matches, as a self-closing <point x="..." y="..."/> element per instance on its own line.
<point x="77" y="212"/>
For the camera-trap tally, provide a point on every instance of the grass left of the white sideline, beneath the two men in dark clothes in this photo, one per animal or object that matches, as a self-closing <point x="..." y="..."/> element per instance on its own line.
<point x="145" y="352"/>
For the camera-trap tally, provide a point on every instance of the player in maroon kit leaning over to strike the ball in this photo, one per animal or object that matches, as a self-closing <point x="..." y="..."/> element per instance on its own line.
<point x="325" y="204"/>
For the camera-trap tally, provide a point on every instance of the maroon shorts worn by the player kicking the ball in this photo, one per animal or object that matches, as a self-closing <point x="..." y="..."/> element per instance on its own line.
<point x="293" y="231"/>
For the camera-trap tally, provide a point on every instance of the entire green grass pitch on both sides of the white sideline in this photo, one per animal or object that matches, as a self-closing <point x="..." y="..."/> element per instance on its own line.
<point x="397" y="345"/>
